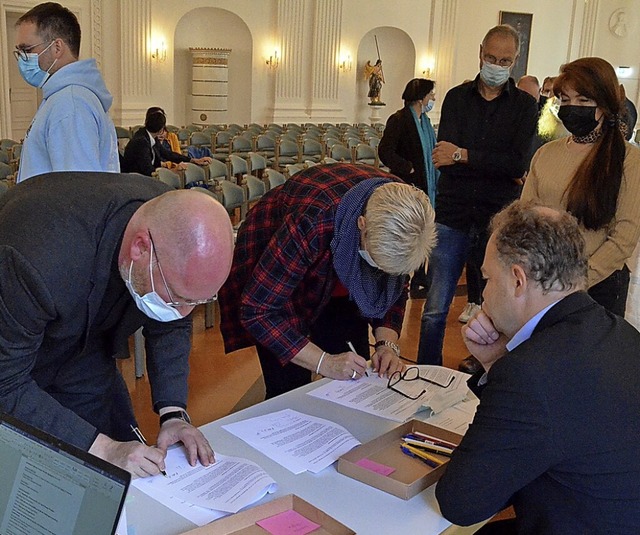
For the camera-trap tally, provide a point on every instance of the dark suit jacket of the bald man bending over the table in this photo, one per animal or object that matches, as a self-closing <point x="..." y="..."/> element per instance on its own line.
<point x="64" y="309"/>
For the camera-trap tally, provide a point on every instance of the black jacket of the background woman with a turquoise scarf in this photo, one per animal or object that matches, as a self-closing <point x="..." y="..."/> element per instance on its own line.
<point x="400" y="149"/>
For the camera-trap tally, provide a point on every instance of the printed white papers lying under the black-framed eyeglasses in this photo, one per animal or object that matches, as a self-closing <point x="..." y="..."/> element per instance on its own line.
<point x="371" y="395"/>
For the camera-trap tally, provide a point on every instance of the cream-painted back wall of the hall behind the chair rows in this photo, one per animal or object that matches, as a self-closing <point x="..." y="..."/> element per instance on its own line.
<point x="420" y="31"/>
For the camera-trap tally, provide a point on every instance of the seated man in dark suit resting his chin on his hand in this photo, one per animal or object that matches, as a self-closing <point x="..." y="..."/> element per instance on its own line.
<point x="556" y="432"/>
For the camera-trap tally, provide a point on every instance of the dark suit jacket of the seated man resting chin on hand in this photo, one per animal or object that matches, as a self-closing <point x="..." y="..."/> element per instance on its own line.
<point x="557" y="431"/>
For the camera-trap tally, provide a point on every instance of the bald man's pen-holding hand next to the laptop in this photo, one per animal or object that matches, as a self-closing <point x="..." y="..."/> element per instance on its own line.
<point x="135" y="457"/>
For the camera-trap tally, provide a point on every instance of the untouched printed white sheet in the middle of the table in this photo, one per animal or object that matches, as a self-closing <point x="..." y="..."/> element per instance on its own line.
<point x="295" y="440"/>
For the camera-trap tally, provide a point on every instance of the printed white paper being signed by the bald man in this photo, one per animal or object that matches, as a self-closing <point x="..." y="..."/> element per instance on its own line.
<point x="202" y="494"/>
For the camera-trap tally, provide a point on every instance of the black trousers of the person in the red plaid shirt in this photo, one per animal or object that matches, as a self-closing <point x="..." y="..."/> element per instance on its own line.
<point x="340" y="322"/>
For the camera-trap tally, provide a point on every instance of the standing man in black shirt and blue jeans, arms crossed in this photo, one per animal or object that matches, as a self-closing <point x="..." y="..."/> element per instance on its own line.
<point x="483" y="150"/>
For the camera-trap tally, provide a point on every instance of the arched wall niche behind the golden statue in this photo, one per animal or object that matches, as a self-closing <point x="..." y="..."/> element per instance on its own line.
<point x="398" y="54"/>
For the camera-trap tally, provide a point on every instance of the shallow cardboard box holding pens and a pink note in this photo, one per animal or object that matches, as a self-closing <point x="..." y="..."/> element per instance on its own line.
<point x="411" y="476"/>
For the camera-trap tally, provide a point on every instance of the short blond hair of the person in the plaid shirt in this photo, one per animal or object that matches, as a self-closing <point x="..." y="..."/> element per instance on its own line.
<point x="400" y="228"/>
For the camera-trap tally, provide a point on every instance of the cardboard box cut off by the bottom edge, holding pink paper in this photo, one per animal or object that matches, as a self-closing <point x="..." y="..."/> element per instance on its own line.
<point x="244" y="522"/>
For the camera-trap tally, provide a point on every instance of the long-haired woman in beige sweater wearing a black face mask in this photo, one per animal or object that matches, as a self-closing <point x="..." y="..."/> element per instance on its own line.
<point x="594" y="174"/>
